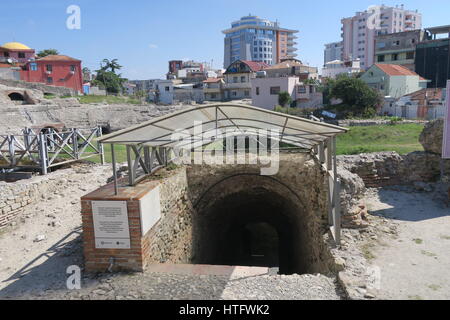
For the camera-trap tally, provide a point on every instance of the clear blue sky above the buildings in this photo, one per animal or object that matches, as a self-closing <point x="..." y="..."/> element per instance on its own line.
<point x="145" y="34"/>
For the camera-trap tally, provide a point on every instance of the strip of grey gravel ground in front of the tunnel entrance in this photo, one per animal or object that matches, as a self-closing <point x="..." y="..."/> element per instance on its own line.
<point x="161" y="286"/>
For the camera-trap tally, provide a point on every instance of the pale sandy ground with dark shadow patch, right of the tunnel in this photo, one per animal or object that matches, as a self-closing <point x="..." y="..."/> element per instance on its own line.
<point x="416" y="265"/>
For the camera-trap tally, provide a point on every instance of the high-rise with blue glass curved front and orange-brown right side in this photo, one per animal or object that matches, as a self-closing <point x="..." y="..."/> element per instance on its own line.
<point x="255" y="39"/>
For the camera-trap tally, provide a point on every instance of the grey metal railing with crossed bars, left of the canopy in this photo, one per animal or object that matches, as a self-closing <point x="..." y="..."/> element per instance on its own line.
<point x="48" y="148"/>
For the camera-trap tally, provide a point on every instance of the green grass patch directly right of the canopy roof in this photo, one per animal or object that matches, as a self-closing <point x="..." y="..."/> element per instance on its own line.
<point x="402" y="138"/>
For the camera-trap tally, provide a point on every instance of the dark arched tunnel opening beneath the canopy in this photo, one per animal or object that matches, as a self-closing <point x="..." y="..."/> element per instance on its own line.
<point x="256" y="226"/>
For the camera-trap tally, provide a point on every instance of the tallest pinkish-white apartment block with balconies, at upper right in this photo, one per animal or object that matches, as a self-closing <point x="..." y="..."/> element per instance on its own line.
<point x="359" y="32"/>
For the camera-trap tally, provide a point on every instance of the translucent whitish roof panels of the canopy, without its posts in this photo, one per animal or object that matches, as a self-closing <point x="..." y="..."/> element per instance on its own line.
<point x="231" y="118"/>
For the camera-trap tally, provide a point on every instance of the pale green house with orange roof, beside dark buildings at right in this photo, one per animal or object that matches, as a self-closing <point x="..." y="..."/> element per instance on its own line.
<point x="392" y="80"/>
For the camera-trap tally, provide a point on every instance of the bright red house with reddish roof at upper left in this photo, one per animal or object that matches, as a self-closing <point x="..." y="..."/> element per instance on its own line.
<point x="55" y="70"/>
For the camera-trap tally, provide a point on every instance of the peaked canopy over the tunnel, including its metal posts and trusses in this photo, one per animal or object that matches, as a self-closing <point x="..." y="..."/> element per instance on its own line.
<point x="151" y="142"/>
